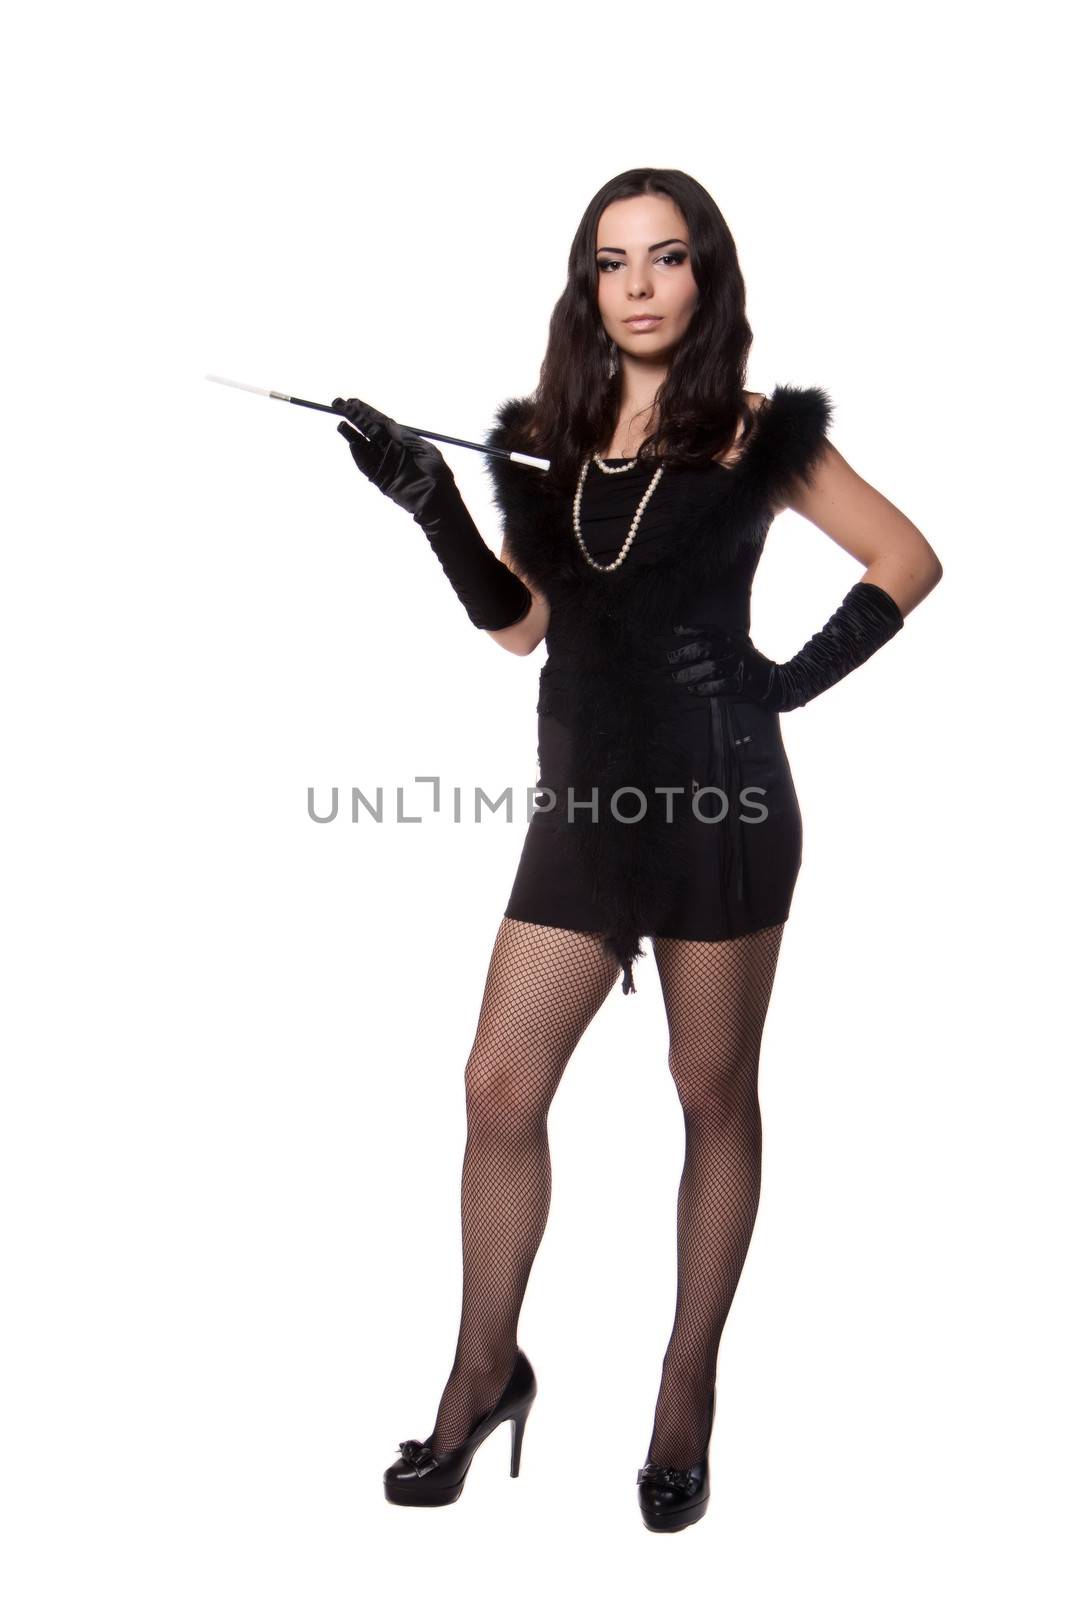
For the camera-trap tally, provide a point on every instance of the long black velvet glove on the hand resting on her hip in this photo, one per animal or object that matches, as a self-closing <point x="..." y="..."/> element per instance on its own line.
<point x="729" y="663"/>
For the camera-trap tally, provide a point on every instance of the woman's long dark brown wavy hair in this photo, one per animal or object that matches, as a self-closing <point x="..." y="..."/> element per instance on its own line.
<point x="577" y="404"/>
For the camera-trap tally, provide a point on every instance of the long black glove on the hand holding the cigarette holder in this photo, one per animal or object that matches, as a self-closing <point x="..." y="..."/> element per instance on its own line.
<point x="412" y="473"/>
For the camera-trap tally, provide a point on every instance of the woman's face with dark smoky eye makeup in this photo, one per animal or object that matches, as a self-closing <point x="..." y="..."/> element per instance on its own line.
<point x="644" y="268"/>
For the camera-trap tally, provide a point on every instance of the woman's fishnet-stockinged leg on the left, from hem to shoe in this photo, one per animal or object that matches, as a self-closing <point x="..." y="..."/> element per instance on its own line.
<point x="543" y="991"/>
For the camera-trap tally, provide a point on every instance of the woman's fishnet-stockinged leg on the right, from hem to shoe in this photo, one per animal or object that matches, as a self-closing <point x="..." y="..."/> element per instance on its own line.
<point x="717" y="996"/>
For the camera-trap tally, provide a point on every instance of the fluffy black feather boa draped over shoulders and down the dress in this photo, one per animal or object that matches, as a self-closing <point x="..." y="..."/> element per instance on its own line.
<point x="609" y="633"/>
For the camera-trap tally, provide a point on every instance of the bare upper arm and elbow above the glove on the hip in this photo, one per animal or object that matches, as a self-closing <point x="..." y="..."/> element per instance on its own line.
<point x="868" y="526"/>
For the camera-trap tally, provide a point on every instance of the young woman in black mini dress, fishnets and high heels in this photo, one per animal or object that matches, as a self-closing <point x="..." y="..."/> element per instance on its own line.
<point x="673" y="810"/>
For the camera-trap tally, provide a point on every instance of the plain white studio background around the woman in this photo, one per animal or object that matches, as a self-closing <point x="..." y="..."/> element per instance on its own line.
<point x="233" y="1102"/>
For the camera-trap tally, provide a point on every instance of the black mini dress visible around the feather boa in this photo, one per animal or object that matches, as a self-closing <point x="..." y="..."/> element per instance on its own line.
<point x="738" y="825"/>
